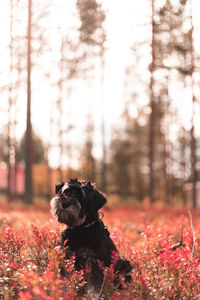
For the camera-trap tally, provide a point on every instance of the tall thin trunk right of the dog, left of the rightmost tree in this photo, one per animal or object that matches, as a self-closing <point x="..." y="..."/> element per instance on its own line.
<point x="152" y="115"/>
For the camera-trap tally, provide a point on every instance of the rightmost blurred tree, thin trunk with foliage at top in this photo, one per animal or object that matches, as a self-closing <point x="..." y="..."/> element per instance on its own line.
<point x="182" y="45"/>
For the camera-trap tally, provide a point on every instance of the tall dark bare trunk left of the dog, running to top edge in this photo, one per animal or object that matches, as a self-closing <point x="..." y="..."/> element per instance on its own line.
<point x="28" y="144"/>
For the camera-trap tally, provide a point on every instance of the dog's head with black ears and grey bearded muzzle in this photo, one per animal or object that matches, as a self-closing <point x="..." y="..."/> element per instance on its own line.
<point x="76" y="202"/>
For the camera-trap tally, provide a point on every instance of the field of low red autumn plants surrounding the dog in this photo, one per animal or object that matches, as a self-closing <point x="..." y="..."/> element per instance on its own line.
<point x="162" y="245"/>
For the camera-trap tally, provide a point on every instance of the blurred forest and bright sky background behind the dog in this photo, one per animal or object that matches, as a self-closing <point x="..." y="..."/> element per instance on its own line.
<point x="107" y="91"/>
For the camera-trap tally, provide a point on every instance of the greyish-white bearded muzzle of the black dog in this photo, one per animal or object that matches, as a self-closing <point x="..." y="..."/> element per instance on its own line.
<point x="70" y="216"/>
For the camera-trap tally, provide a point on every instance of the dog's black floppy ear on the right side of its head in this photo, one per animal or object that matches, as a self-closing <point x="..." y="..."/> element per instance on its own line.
<point x="96" y="198"/>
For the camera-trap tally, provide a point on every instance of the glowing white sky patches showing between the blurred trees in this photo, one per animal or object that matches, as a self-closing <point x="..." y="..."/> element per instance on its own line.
<point x="125" y="26"/>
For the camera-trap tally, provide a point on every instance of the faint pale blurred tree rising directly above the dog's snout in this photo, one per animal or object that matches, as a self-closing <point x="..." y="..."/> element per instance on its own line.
<point x="68" y="64"/>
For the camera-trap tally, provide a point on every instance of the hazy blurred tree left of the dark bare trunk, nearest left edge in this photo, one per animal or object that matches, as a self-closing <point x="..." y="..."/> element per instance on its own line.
<point x="11" y="87"/>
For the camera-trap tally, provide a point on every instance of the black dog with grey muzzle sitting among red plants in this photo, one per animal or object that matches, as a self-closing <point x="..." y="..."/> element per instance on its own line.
<point x="76" y="204"/>
